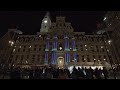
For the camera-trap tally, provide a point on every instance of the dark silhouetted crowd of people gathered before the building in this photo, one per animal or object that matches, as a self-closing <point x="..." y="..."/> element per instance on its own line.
<point x="56" y="73"/>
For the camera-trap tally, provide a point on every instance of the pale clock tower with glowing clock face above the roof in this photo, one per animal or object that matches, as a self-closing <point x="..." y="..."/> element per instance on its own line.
<point x="46" y="23"/>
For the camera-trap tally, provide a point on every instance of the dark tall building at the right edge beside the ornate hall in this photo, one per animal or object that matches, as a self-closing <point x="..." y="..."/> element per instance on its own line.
<point x="112" y="20"/>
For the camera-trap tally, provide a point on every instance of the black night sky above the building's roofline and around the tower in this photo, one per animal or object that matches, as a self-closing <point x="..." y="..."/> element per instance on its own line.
<point x="80" y="20"/>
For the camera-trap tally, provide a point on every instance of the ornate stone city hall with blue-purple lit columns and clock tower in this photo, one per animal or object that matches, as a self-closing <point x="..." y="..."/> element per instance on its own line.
<point x="55" y="44"/>
